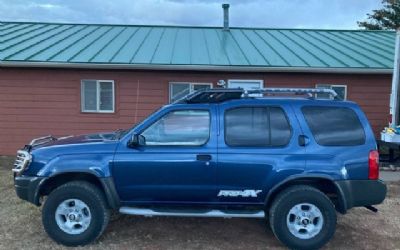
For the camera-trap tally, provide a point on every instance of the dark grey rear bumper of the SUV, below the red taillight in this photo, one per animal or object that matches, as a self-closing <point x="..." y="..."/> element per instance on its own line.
<point x="359" y="193"/>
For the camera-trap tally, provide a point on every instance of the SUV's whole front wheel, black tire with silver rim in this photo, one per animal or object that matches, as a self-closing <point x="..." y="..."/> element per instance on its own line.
<point x="75" y="213"/>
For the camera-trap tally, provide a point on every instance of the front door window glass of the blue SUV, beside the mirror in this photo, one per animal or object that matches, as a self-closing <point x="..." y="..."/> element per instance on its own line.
<point x="180" y="128"/>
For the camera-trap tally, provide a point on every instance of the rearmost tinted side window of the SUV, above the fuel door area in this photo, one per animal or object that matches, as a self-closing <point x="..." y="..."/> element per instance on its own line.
<point x="334" y="126"/>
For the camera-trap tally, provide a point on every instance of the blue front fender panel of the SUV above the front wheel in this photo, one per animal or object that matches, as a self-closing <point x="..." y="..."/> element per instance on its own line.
<point x="96" y="164"/>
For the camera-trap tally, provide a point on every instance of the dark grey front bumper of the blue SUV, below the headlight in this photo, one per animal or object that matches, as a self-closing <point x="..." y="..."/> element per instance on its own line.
<point x="27" y="188"/>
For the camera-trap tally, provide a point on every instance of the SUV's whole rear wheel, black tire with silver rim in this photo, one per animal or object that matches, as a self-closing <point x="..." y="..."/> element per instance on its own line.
<point x="302" y="217"/>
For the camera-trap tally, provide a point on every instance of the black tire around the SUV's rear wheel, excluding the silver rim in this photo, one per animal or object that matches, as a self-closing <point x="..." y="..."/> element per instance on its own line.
<point x="295" y="195"/>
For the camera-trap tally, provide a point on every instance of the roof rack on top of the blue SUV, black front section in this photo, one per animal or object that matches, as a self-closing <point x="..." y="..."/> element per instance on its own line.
<point x="222" y="94"/>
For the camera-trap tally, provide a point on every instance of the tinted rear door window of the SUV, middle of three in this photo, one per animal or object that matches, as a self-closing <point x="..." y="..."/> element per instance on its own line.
<point x="256" y="127"/>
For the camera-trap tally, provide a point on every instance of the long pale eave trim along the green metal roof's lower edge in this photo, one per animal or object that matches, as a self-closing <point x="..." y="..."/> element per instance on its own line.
<point x="195" y="67"/>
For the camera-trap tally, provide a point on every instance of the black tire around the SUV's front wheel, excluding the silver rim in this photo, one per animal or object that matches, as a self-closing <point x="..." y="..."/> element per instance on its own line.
<point x="92" y="197"/>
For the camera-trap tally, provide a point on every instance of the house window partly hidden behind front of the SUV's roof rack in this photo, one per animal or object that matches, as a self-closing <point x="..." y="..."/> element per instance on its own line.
<point x="177" y="90"/>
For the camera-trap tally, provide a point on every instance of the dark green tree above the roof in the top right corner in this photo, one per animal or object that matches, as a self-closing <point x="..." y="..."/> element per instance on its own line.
<point x="387" y="18"/>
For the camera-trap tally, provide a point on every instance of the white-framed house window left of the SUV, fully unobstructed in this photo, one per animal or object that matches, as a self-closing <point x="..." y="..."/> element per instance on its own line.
<point x="97" y="96"/>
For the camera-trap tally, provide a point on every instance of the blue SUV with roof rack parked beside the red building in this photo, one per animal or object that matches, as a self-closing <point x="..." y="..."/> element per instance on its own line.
<point x="215" y="153"/>
